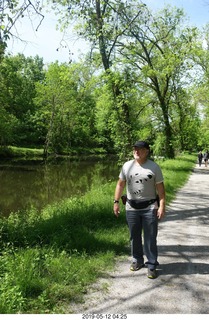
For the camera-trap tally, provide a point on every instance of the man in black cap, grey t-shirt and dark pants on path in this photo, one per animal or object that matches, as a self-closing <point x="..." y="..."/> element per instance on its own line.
<point x="144" y="183"/>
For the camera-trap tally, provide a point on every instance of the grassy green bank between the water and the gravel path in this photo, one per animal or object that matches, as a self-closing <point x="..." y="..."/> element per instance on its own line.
<point x="49" y="258"/>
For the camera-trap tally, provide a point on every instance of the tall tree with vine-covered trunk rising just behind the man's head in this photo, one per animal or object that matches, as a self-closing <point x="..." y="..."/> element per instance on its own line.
<point x="99" y="21"/>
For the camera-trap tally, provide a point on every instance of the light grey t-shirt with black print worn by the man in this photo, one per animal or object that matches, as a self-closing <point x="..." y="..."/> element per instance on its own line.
<point x="141" y="180"/>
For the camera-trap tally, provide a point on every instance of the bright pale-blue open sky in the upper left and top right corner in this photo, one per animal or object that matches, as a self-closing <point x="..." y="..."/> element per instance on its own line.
<point x="47" y="39"/>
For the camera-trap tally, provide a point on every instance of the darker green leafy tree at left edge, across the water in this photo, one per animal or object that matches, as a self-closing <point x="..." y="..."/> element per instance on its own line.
<point x="18" y="76"/>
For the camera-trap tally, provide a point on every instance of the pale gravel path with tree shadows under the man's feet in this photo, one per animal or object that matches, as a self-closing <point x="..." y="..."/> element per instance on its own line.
<point x="182" y="286"/>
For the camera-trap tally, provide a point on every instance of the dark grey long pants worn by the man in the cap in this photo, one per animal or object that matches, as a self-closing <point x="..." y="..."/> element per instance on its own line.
<point x="146" y="222"/>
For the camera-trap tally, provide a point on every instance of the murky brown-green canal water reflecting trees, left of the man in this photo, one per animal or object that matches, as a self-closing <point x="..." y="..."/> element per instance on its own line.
<point x="23" y="186"/>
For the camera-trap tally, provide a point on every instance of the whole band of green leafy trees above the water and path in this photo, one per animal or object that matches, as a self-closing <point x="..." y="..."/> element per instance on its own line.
<point x="150" y="61"/>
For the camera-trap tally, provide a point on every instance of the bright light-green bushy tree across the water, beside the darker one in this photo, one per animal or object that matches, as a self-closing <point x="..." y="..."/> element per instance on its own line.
<point x="65" y="108"/>
